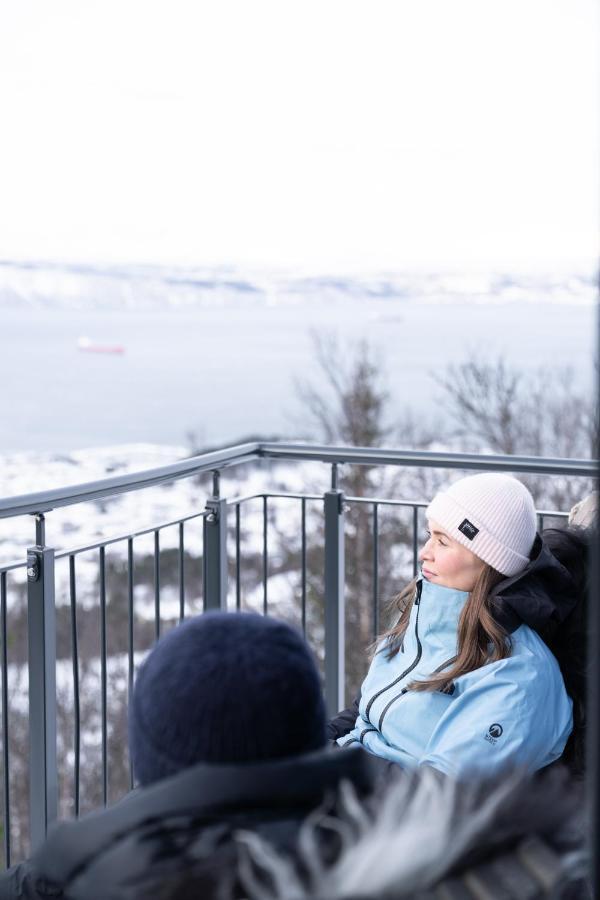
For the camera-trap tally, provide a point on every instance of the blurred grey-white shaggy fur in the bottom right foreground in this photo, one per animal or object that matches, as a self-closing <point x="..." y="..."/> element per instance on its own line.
<point x="431" y="838"/>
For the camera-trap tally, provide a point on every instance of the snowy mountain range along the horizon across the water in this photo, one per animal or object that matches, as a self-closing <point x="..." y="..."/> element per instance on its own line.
<point x="81" y="286"/>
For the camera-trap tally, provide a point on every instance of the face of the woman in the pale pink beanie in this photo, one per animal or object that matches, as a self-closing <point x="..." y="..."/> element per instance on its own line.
<point x="447" y="562"/>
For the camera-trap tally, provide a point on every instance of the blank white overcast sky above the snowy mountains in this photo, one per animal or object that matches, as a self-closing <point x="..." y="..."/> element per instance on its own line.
<point x="326" y="133"/>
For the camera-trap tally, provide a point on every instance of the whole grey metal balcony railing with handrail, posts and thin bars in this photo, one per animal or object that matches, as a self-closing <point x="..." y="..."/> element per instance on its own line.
<point x="214" y="517"/>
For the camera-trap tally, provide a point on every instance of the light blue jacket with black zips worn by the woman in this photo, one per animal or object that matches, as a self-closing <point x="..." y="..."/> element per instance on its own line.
<point x="514" y="712"/>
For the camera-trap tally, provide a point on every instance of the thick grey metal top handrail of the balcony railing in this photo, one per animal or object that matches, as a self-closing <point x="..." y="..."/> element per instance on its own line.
<point x="44" y="501"/>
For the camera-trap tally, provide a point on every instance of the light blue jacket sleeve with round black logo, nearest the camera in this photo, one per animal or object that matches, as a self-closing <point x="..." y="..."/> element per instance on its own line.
<point x="516" y="716"/>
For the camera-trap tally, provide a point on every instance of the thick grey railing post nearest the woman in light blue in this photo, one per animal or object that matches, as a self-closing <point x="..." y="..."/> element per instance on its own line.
<point x="334" y="597"/>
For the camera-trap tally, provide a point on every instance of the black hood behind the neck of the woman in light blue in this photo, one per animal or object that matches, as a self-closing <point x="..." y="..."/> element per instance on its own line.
<point x="542" y="595"/>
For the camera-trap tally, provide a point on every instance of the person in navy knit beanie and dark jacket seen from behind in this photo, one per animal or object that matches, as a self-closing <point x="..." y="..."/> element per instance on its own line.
<point x="227" y="732"/>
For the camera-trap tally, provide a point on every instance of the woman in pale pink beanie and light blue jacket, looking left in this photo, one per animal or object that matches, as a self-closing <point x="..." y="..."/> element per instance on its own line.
<point x="463" y="681"/>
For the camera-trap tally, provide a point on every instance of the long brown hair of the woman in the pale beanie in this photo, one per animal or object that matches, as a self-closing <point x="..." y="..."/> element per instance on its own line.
<point x="480" y="639"/>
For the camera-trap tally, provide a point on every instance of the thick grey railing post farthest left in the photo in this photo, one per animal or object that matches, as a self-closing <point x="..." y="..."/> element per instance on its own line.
<point x="41" y="618"/>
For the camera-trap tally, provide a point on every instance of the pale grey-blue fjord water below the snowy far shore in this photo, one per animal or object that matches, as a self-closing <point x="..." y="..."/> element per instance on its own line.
<point x="224" y="371"/>
